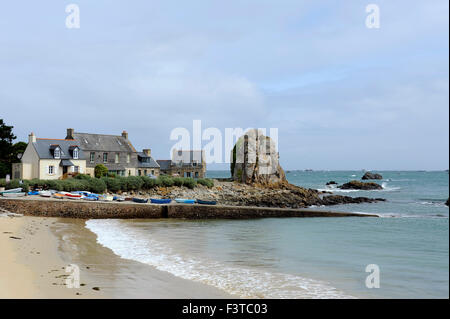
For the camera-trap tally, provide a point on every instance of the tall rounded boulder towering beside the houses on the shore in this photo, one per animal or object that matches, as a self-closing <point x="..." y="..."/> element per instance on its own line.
<point x="254" y="159"/>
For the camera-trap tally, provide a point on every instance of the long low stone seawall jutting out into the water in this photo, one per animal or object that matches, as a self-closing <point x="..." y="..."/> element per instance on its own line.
<point x="91" y="210"/>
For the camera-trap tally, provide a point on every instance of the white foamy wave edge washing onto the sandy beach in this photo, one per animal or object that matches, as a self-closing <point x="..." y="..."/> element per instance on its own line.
<point x="131" y="243"/>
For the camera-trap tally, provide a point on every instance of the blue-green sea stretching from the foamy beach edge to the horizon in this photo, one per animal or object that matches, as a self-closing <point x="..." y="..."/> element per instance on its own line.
<point x="402" y="254"/>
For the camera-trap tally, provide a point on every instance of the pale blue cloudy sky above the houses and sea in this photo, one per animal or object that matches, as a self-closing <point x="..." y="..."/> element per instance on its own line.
<point x="342" y="96"/>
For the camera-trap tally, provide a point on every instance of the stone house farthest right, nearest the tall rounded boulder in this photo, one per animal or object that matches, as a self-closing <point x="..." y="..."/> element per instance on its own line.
<point x="184" y="163"/>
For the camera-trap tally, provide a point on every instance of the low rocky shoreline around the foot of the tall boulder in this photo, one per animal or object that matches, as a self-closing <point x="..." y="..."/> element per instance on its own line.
<point x="279" y="195"/>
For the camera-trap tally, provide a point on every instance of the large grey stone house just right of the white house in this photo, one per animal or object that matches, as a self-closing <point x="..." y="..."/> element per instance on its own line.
<point x="116" y="152"/>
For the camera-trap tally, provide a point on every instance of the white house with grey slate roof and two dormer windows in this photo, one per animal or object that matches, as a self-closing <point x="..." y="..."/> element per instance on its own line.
<point x="46" y="158"/>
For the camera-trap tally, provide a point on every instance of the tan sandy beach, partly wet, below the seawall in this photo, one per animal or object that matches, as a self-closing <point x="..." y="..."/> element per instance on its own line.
<point x="37" y="250"/>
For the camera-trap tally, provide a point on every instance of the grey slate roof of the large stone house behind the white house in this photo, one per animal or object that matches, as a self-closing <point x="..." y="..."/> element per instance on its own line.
<point x="103" y="142"/>
